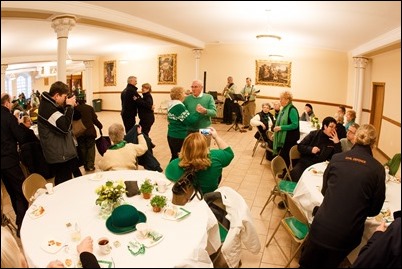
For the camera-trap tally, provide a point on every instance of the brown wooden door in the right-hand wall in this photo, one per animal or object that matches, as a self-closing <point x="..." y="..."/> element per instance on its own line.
<point x="377" y="106"/>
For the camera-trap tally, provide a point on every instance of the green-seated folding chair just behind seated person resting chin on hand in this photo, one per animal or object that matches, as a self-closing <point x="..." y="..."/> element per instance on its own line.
<point x="281" y="186"/>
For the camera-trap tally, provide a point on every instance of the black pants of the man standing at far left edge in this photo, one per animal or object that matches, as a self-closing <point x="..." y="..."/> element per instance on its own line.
<point x="13" y="178"/>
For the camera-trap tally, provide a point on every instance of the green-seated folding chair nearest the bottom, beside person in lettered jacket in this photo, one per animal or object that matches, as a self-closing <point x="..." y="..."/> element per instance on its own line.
<point x="296" y="226"/>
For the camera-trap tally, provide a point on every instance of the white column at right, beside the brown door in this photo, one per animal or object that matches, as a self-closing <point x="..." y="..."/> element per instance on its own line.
<point x="360" y="64"/>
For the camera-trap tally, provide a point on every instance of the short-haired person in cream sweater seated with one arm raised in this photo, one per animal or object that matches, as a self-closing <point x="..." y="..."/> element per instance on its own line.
<point x="122" y="155"/>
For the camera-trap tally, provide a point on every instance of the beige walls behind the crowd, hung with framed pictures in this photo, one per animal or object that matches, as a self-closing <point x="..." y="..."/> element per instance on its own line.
<point x="317" y="76"/>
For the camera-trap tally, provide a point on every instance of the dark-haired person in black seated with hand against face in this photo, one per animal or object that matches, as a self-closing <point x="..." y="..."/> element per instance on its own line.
<point x="317" y="146"/>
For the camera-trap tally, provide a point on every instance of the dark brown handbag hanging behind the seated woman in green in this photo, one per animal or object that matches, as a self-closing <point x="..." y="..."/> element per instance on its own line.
<point x="186" y="188"/>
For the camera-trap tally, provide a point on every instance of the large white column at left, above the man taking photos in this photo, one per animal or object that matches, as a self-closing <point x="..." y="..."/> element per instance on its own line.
<point x="62" y="25"/>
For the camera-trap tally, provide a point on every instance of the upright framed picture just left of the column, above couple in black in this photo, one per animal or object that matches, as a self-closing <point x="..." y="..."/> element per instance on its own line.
<point x="167" y="69"/>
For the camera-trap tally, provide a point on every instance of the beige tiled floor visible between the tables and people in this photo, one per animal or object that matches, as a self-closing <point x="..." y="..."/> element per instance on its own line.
<point x="245" y="174"/>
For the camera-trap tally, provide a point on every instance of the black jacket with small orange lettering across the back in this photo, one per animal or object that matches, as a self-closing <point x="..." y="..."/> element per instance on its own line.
<point x="353" y="189"/>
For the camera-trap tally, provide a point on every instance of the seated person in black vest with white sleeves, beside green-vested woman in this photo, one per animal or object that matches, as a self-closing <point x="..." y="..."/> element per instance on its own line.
<point x="263" y="120"/>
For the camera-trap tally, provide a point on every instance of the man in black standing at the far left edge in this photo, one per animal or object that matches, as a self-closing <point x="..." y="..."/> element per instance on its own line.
<point x="11" y="173"/>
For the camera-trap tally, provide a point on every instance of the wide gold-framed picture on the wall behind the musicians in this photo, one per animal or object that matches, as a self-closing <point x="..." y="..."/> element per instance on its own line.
<point x="273" y="73"/>
